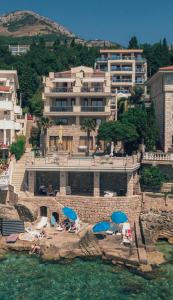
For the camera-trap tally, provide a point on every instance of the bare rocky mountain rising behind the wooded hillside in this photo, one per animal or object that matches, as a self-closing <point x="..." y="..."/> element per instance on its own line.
<point x="29" y="24"/>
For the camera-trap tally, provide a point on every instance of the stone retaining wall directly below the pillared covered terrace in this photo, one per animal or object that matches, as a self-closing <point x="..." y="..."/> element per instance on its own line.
<point x="89" y="209"/>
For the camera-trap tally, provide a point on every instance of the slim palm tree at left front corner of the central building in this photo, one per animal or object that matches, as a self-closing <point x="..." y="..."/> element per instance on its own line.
<point x="44" y="123"/>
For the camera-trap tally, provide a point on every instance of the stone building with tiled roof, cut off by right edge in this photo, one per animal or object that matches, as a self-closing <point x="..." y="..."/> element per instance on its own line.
<point x="161" y="93"/>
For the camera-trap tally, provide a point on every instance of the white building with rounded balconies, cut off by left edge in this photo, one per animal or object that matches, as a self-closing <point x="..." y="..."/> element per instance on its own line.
<point x="9" y="107"/>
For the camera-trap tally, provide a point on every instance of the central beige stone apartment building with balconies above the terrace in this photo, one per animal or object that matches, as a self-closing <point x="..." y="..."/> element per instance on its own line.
<point x="71" y="97"/>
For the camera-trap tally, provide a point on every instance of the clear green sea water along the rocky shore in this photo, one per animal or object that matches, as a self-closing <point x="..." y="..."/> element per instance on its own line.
<point x="24" y="277"/>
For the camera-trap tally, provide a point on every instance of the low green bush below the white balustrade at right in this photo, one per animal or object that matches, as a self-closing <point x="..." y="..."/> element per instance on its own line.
<point x="153" y="177"/>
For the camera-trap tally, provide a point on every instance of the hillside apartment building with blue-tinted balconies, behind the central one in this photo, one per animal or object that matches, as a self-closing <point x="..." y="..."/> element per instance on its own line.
<point x="127" y="69"/>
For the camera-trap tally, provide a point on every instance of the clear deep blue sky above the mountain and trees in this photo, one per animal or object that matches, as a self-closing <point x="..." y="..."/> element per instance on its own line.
<point x="115" y="20"/>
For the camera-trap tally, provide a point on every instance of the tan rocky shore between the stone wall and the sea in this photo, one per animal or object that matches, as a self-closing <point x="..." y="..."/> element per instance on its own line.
<point x="63" y="245"/>
